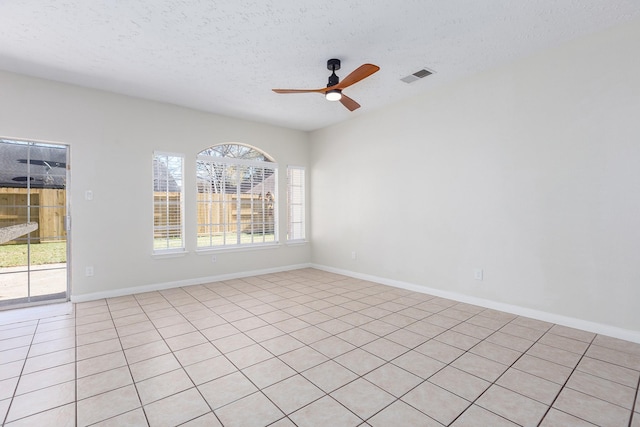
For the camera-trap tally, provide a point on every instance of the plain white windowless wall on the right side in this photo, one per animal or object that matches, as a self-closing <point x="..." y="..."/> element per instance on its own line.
<point x="530" y="171"/>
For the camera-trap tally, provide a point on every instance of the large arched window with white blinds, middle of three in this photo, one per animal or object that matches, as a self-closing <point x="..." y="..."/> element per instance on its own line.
<point x="237" y="197"/>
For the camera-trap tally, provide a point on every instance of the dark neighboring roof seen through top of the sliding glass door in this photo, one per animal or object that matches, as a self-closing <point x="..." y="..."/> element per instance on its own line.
<point x="43" y="165"/>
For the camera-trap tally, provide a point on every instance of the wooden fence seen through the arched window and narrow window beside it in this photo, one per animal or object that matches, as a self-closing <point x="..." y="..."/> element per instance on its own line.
<point x="217" y="213"/>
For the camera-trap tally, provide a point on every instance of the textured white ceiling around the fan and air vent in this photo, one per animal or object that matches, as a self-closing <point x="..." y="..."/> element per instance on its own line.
<point x="226" y="56"/>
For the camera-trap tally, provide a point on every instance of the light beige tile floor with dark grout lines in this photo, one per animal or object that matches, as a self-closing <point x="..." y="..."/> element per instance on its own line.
<point x="306" y="348"/>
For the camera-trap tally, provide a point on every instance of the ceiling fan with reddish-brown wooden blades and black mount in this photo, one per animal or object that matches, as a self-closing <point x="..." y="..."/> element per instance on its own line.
<point x="333" y="91"/>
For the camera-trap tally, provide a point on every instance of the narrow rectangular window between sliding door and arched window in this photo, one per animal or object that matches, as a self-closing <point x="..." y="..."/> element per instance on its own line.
<point x="168" y="202"/>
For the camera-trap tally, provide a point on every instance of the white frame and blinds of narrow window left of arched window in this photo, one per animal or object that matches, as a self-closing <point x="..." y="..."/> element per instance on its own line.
<point x="167" y="206"/>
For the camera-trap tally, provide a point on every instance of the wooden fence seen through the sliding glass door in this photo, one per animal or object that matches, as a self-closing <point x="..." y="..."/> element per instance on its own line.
<point x="46" y="206"/>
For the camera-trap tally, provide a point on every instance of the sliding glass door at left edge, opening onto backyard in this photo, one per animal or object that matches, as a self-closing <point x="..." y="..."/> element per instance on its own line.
<point x="33" y="194"/>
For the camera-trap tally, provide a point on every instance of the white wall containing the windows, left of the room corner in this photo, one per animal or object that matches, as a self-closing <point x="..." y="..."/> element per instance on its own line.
<point x="112" y="139"/>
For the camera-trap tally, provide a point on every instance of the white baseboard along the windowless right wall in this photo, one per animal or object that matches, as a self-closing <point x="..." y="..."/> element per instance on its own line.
<point x="598" y="328"/>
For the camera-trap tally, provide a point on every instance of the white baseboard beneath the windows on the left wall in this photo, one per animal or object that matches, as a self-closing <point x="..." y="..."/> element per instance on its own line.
<point x="179" y="283"/>
